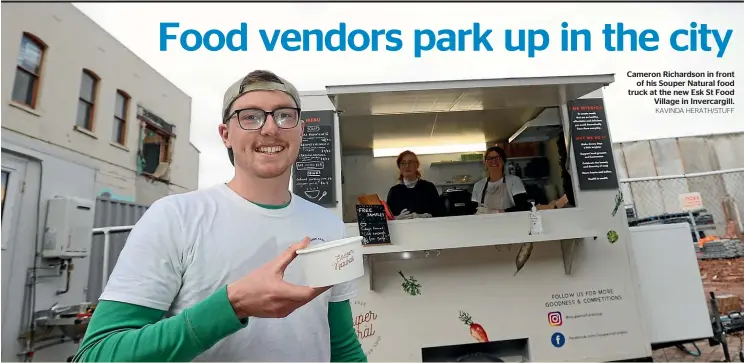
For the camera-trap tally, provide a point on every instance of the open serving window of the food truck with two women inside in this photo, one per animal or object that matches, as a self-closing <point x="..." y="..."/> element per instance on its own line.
<point x="443" y="149"/>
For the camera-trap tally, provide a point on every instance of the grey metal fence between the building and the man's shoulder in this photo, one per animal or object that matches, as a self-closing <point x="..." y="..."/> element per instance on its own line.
<point x="109" y="213"/>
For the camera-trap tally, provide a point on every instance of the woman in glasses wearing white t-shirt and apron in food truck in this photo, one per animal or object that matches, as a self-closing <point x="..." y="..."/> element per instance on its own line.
<point x="499" y="192"/>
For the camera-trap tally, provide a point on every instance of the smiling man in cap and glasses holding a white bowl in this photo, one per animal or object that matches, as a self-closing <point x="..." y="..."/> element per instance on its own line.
<point x="208" y="275"/>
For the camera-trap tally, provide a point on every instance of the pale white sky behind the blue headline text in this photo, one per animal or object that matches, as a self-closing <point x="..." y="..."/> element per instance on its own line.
<point x="205" y="75"/>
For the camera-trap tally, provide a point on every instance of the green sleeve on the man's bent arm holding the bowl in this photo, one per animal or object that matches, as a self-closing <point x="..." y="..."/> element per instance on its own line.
<point x="121" y="332"/>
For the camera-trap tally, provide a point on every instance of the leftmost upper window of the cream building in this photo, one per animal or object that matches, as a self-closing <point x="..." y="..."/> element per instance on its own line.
<point x="28" y="70"/>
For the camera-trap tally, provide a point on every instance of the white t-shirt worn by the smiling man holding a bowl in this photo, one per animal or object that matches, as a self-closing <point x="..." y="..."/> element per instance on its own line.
<point x="189" y="245"/>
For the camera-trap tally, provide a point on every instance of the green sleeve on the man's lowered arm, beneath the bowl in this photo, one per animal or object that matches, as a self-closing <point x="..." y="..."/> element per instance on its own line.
<point x="345" y="346"/>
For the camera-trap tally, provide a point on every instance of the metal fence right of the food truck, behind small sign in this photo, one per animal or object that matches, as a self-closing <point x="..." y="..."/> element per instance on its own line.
<point x="722" y="194"/>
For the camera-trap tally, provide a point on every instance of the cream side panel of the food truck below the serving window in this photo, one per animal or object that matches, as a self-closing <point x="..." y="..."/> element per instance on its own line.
<point x="481" y="282"/>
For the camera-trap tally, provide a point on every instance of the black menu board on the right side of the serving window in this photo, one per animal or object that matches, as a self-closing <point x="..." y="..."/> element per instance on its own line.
<point x="591" y="143"/>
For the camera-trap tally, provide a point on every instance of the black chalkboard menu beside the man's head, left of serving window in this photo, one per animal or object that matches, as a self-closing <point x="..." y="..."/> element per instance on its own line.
<point x="313" y="174"/>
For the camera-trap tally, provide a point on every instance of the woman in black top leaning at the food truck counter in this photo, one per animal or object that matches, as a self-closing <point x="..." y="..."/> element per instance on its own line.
<point x="413" y="197"/>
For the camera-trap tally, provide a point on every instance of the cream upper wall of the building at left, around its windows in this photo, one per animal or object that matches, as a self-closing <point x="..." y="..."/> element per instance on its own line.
<point x="75" y="42"/>
